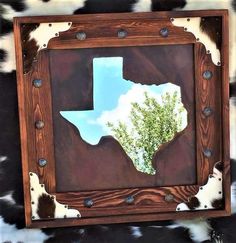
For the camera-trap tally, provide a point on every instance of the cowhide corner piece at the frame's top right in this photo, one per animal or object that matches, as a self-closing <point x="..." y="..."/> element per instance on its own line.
<point x="208" y="38"/>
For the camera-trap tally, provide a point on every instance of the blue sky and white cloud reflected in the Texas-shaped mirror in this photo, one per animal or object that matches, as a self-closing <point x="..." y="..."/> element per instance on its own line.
<point x="113" y="96"/>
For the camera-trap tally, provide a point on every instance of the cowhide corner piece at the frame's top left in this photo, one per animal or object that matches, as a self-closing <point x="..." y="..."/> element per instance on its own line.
<point x="36" y="38"/>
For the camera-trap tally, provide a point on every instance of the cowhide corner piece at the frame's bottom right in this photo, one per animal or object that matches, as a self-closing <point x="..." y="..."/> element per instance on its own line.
<point x="209" y="196"/>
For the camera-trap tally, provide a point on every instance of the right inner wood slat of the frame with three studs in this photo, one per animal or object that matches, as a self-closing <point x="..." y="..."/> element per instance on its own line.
<point x="208" y="128"/>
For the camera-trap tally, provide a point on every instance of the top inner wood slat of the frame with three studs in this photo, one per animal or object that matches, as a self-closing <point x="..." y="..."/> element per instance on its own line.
<point x="139" y="33"/>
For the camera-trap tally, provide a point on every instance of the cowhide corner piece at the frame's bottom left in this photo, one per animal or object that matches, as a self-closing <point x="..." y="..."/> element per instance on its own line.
<point x="44" y="205"/>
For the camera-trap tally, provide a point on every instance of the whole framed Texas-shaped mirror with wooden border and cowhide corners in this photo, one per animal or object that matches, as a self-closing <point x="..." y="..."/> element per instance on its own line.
<point x="123" y="120"/>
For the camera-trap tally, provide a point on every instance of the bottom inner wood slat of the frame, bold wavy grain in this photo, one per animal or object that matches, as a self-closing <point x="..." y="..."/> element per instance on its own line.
<point x="112" y="202"/>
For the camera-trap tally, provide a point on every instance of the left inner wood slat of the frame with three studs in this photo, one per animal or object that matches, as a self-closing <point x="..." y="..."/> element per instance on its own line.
<point x="38" y="106"/>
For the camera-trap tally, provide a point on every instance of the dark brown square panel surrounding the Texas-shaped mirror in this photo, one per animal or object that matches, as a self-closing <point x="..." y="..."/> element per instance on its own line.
<point x="72" y="90"/>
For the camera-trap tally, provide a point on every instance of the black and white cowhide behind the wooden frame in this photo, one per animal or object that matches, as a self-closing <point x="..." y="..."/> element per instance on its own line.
<point x="11" y="196"/>
